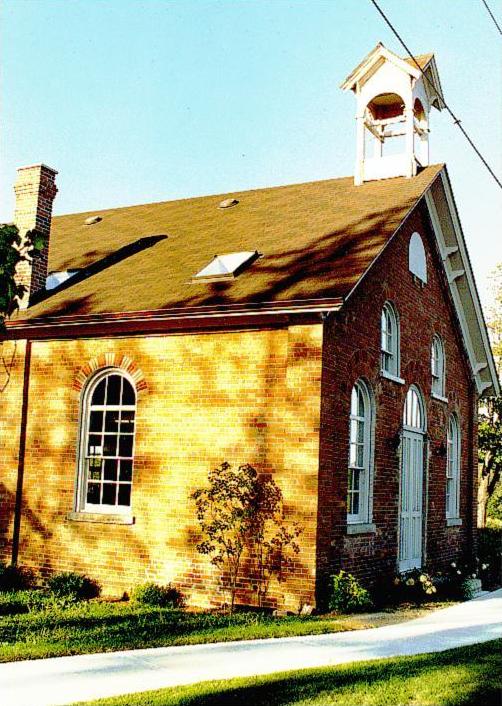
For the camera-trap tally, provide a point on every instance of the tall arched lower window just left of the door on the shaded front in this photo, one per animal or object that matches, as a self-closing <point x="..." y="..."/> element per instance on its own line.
<point x="360" y="454"/>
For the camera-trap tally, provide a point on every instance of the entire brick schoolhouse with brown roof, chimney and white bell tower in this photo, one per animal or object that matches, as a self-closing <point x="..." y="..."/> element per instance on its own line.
<point x="335" y="340"/>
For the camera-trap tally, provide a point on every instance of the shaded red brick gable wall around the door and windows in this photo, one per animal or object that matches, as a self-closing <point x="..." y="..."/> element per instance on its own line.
<point x="352" y="350"/>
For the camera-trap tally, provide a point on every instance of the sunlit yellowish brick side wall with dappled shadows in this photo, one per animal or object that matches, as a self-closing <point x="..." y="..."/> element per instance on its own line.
<point x="245" y="397"/>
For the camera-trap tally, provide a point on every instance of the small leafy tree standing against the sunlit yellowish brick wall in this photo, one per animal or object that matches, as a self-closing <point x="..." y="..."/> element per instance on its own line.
<point x="241" y="510"/>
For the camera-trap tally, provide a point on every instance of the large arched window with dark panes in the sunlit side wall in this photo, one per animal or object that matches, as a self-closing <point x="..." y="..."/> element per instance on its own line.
<point x="107" y="443"/>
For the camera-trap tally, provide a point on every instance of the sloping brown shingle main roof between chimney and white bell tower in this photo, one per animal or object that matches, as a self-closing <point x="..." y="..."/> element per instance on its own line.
<point x="317" y="240"/>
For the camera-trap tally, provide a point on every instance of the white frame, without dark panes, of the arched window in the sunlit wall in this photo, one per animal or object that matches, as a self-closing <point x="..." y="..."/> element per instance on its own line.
<point x="81" y="504"/>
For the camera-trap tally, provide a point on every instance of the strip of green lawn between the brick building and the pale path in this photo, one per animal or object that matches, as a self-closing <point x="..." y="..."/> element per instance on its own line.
<point x="102" y="627"/>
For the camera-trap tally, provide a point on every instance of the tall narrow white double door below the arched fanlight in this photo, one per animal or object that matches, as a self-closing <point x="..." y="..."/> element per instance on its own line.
<point x="411" y="511"/>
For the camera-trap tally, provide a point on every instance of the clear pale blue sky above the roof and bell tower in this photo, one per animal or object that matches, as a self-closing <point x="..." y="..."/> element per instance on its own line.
<point x="138" y="101"/>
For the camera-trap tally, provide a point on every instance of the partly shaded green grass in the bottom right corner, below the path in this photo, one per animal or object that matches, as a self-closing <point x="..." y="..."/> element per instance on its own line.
<point x="468" y="676"/>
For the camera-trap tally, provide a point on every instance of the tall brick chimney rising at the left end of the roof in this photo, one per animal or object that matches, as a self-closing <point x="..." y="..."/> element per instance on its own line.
<point x="35" y="190"/>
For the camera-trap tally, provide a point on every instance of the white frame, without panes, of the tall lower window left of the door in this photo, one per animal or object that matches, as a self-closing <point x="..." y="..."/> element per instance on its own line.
<point x="365" y="469"/>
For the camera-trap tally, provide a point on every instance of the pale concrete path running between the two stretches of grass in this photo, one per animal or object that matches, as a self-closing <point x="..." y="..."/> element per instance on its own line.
<point x="64" y="680"/>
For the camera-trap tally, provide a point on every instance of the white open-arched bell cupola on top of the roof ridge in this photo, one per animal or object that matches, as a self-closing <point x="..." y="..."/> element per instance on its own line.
<point x="394" y="99"/>
